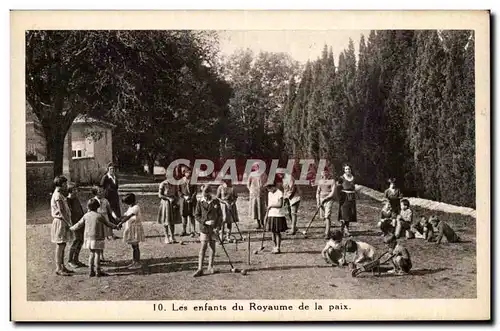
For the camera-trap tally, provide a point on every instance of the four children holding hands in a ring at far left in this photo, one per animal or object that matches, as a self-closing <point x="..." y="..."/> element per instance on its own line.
<point x="90" y="229"/>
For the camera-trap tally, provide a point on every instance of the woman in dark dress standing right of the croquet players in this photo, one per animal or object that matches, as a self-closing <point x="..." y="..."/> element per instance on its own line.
<point x="347" y="208"/>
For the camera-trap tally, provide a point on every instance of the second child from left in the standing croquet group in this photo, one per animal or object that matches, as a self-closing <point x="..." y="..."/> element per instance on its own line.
<point x="188" y="203"/>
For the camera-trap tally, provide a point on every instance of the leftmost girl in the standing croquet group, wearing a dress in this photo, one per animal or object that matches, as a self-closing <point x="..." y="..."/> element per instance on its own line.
<point x="168" y="214"/>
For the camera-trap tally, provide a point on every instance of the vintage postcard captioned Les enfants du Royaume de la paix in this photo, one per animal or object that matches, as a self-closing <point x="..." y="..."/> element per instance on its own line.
<point x="250" y="165"/>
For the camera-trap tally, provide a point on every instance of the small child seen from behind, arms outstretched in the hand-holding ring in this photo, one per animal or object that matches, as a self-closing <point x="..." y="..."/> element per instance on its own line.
<point x="94" y="224"/>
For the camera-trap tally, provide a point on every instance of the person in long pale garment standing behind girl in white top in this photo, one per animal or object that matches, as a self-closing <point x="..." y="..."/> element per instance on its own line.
<point x="256" y="185"/>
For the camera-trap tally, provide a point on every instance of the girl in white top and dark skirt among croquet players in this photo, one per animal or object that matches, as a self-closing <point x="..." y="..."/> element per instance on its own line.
<point x="276" y="219"/>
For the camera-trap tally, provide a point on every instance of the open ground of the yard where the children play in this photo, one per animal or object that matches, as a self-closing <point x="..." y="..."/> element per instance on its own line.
<point x="446" y="271"/>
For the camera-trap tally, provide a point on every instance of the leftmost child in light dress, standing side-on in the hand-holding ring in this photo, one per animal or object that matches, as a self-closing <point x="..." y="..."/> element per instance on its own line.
<point x="60" y="232"/>
